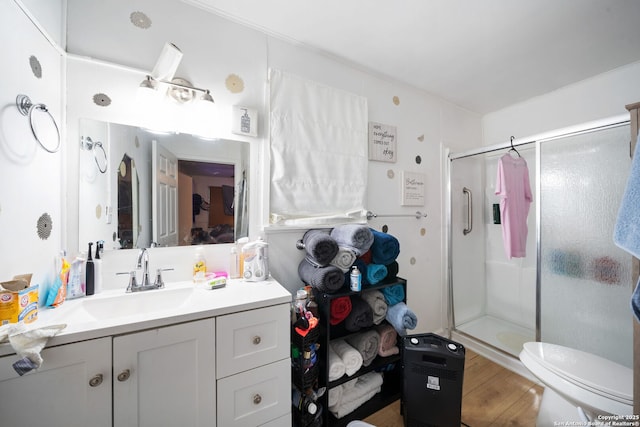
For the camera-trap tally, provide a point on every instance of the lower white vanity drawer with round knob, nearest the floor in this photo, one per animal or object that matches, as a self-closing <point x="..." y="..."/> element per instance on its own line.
<point x="251" y="397"/>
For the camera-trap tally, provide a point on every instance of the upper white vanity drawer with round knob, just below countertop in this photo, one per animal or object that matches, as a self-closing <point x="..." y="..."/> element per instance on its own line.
<point x="252" y="338"/>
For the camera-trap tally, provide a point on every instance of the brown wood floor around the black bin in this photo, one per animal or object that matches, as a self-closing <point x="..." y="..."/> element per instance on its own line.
<point x="491" y="396"/>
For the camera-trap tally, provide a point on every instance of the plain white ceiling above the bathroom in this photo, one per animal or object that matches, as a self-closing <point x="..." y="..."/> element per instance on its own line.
<point x="483" y="55"/>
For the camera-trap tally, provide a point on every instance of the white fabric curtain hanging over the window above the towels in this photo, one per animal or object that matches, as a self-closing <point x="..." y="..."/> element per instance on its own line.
<point x="318" y="152"/>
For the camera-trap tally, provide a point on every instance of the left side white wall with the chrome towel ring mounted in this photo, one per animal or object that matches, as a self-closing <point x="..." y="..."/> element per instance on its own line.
<point x="31" y="180"/>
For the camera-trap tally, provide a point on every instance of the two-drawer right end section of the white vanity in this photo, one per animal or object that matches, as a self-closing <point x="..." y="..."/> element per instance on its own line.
<point x="254" y="368"/>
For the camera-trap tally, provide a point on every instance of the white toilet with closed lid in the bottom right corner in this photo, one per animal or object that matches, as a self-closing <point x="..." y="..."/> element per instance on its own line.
<point x="579" y="386"/>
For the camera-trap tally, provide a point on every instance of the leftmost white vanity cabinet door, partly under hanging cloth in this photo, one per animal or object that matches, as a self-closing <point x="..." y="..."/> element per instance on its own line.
<point x="72" y="388"/>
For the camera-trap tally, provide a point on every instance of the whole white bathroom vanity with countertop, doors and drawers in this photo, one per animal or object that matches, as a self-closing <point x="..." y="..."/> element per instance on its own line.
<point x="179" y="356"/>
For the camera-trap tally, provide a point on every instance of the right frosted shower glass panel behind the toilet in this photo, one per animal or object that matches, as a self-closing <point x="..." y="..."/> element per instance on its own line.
<point x="585" y="278"/>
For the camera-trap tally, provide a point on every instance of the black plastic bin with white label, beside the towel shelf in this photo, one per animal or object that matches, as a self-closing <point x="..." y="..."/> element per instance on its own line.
<point x="433" y="370"/>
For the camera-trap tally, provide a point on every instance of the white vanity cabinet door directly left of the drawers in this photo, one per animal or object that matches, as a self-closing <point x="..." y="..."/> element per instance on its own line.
<point x="165" y="377"/>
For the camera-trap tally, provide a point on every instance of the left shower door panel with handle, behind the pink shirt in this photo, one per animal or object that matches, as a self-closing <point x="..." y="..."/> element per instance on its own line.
<point x="494" y="297"/>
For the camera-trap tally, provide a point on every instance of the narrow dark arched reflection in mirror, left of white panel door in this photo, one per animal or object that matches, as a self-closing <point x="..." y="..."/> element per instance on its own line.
<point x="125" y="203"/>
